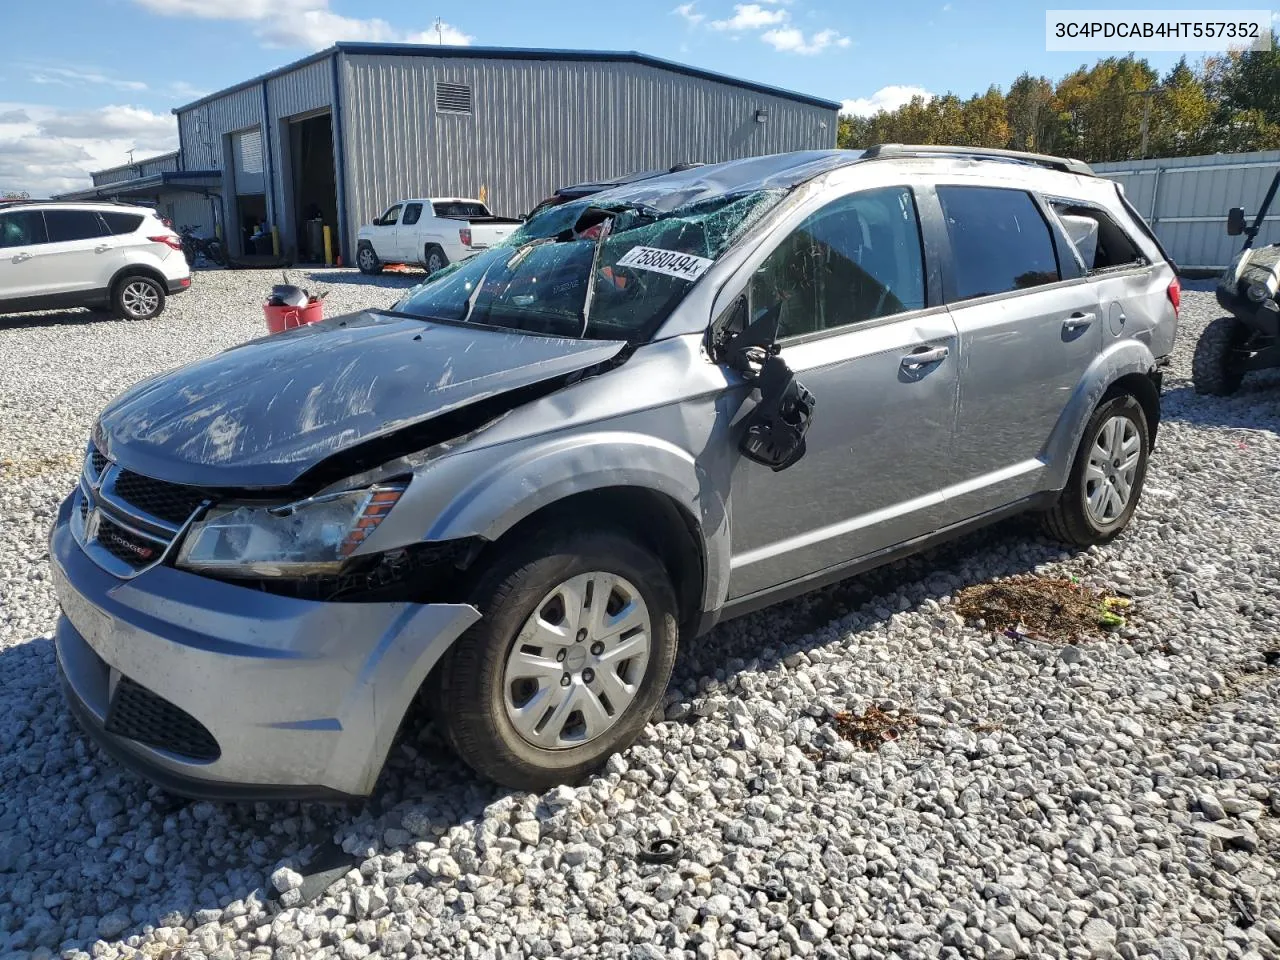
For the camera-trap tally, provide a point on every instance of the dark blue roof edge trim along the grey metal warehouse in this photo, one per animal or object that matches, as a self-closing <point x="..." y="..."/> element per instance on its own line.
<point x="506" y="53"/>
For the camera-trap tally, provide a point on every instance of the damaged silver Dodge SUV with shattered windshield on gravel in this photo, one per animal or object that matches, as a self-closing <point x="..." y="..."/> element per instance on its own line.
<point x="651" y="410"/>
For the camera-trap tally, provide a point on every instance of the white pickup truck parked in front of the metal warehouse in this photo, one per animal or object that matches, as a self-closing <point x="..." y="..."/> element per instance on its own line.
<point x="432" y="232"/>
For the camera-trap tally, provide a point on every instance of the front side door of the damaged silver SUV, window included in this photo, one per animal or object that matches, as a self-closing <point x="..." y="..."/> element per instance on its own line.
<point x="860" y="332"/>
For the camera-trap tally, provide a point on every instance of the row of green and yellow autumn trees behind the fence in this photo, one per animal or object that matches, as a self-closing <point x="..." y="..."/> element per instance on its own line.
<point x="1118" y="109"/>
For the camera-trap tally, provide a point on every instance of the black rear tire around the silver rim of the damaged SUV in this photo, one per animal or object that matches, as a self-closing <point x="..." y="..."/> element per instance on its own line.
<point x="1072" y="519"/>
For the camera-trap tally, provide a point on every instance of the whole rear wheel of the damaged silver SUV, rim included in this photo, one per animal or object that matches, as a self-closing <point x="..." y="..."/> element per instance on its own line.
<point x="1107" y="478"/>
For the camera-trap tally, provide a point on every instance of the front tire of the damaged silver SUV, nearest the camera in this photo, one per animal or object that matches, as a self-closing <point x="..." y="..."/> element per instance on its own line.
<point x="474" y="700"/>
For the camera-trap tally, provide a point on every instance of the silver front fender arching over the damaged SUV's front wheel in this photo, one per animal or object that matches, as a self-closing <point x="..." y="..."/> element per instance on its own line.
<point x="478" y="495"/>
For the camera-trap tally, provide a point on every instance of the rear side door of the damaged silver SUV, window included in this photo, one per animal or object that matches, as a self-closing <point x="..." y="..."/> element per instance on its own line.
<point x="1028" y="326"/>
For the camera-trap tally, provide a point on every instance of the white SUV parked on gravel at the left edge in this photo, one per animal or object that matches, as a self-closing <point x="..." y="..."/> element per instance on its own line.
<point x="89" y="255"/>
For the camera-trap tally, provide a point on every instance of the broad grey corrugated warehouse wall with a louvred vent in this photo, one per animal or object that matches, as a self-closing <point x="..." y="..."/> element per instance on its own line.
<point x="541" y="125"/>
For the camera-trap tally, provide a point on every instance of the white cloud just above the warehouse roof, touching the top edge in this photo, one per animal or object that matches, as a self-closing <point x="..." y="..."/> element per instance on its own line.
<point x="303" y="24"/>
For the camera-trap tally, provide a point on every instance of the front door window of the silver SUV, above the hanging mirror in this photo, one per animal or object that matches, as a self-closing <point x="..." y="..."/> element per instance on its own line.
<point x="856" y="259"/>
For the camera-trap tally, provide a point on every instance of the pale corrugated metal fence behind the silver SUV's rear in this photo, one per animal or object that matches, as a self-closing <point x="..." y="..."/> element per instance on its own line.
<point x="1186" y="200"/>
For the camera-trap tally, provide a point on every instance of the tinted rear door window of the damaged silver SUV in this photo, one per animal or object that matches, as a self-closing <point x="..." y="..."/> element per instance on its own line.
<point x="999" y="241"/>
